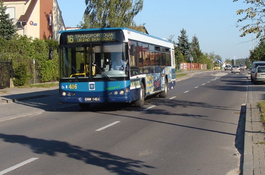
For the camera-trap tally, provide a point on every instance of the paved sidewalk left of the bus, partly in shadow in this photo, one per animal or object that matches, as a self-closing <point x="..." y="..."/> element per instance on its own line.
<point x="23" y="102"/>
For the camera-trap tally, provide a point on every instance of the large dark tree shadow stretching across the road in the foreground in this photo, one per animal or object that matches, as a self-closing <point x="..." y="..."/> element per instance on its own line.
<point x="112" y="163"/>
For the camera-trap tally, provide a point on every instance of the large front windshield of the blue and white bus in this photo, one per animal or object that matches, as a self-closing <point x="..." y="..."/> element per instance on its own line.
<point x="93" y="61"/>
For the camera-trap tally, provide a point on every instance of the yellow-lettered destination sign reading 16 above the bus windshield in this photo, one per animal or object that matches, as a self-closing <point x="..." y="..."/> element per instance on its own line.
<point x="91" y="37"/>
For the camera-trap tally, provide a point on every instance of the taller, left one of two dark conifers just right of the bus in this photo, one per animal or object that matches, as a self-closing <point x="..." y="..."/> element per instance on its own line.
<point x="184" y="45"/>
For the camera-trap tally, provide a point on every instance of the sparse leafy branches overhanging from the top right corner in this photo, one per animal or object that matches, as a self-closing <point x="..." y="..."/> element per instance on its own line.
<point x="255" y="14"/>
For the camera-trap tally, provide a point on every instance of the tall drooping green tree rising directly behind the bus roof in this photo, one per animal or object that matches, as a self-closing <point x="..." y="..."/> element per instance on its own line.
<point x="110" y="13"/>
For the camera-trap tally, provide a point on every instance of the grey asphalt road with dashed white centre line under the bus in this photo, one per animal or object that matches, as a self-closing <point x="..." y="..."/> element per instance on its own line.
<point x="195" y="130"/>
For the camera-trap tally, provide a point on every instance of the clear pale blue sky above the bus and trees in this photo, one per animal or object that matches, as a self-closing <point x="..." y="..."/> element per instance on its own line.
<point x="213" y="22"/>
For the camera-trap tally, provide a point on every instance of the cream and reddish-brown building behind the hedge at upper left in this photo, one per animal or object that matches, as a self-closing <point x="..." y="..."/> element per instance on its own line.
<point x="36" y="18"/>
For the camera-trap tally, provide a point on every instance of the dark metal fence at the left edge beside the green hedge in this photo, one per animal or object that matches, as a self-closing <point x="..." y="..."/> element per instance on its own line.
<point x="6" y="72"/>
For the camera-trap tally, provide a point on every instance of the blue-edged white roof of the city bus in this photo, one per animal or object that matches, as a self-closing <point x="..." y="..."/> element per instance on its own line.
<point x="130" y="34"/>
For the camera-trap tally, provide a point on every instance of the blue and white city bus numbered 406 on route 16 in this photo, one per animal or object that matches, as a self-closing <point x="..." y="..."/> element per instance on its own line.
<point x="87" y="75"/>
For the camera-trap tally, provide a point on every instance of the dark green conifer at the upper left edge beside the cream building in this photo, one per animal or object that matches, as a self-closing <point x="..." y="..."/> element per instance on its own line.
<point x="7" y="28"/>
